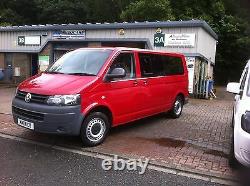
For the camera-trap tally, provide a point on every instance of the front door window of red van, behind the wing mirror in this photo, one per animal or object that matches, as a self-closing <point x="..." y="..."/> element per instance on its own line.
<point x="127" y="62"/>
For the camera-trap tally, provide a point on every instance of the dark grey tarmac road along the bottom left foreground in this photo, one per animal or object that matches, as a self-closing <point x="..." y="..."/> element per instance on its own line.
<point x="27" y="164"/>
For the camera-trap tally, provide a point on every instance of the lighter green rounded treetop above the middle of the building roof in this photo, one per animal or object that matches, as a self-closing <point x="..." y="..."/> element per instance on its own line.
<point x="143" y="10"/>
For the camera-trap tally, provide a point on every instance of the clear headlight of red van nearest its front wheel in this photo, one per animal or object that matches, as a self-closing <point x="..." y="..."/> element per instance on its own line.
<point x="64" y="100"/>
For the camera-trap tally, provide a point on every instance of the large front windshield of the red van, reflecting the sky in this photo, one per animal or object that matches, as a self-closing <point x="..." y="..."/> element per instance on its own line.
<point x="80" y="62"/>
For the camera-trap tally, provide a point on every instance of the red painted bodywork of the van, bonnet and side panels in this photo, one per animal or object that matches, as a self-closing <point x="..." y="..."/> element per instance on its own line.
<point x="126" y="100"/>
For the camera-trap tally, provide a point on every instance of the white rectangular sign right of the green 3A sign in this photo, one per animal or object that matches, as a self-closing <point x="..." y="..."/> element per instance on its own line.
<point x="182" y="40"/>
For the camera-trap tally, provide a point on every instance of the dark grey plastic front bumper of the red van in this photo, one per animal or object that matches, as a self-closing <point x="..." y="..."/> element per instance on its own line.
<point x="49" y="119"/>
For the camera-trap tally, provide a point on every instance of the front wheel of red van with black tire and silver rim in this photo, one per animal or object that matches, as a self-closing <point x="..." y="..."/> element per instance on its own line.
<point x="95" y="129"/>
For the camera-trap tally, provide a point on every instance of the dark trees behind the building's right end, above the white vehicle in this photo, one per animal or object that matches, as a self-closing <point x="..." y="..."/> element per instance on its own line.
<point x="233" y="30"/>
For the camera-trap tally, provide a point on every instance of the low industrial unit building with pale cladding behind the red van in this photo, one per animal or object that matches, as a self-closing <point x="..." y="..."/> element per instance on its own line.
<point x="27" y="50"/>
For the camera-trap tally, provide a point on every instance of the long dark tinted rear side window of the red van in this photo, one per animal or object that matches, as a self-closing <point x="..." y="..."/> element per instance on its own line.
<point x="160" y="65"/>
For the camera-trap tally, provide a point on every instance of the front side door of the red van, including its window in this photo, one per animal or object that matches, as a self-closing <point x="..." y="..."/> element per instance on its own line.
<point x="123" y="93"/>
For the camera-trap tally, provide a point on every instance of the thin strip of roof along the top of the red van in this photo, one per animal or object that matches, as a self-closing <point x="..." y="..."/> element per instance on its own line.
<point x="133" y="49"/>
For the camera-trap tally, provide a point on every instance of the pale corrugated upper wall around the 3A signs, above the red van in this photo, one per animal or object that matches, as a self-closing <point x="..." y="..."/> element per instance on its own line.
<point x="205" y="44"/>
